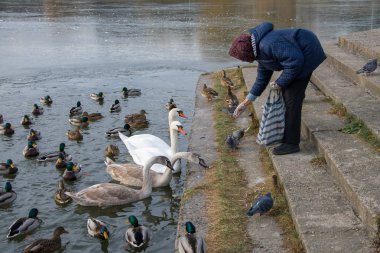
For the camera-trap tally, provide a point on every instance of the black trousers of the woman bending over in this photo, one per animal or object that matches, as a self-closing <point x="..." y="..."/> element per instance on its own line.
<point x="294" y="95"/>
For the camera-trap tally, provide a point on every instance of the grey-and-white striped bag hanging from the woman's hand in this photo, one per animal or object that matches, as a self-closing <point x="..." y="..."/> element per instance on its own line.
<point x="272" y="124"/>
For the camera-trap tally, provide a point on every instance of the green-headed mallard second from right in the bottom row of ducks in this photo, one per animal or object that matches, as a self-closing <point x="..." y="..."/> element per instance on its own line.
<point x="137" y="235"/>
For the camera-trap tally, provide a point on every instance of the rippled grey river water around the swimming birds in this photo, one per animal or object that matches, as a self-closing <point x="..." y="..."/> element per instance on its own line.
<point x="69" y="49"/>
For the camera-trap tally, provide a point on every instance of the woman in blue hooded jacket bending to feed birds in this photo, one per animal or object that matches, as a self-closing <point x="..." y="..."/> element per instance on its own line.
<point x="295" y="52"/>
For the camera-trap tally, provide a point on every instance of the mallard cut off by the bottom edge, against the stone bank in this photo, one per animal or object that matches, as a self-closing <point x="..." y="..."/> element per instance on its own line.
<point x="191" y="242"/>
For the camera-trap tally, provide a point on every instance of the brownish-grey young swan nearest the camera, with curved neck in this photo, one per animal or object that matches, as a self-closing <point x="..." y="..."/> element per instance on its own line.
<point x="107" y="194"/>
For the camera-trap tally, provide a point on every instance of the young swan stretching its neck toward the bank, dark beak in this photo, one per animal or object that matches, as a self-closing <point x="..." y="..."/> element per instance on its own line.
<point x="131" y="174"/>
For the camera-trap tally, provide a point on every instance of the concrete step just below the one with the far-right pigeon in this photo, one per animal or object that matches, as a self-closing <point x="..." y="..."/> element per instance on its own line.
<point x="356" y="99"/>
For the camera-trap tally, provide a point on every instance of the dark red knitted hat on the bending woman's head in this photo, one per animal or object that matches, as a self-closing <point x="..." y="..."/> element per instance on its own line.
<point x="241" y="48"/>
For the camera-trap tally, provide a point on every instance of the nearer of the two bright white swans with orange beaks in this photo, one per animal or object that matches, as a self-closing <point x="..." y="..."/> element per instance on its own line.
<point x="143" y="146"/>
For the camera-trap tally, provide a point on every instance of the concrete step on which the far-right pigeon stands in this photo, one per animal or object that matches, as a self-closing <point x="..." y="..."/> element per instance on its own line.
<point x="348" y="64"/>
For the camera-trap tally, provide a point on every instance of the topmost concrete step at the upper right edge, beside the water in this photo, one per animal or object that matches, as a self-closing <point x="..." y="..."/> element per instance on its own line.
<point x="366" y="43"/>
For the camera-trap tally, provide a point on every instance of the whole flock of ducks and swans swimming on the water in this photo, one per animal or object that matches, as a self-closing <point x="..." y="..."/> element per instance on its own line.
<point x="154" y="164"/>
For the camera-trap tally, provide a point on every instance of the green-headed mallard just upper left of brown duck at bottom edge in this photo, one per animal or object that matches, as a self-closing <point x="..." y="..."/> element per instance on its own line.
<point x="25" y="224"/>
